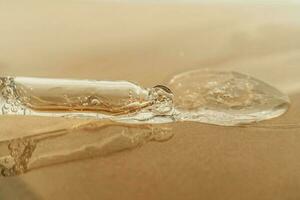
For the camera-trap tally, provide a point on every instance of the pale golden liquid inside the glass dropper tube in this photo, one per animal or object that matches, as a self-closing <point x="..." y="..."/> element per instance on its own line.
<point x="114" y="97"/>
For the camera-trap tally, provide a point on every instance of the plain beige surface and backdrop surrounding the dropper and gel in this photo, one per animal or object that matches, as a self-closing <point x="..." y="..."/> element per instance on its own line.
<point x="148" y="43"/>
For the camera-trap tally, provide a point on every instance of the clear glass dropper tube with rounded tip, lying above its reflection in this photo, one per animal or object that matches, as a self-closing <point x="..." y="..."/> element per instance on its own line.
<point x="81" y="98"/>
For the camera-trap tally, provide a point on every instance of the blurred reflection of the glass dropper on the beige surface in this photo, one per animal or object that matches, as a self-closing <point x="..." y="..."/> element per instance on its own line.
<point x="88" y="139"/>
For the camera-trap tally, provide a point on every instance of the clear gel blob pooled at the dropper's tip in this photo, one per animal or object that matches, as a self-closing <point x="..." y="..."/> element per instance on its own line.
<point x="225" y="98"/>
